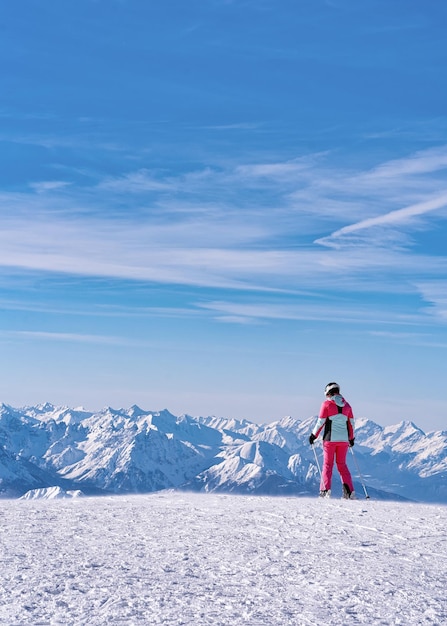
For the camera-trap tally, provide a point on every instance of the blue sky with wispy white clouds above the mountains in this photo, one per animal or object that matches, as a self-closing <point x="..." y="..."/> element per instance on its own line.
<point x="219" y="206"/>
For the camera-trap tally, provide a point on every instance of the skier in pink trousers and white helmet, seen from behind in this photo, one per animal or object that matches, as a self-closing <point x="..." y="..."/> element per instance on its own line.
<point x="337" y="419"/>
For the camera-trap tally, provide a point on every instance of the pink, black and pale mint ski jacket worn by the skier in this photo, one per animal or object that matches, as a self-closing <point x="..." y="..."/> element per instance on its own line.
<point x="337" y="419"/>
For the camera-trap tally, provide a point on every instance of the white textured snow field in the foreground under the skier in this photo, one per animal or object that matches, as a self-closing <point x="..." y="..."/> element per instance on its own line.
<point x="179" y="558"/>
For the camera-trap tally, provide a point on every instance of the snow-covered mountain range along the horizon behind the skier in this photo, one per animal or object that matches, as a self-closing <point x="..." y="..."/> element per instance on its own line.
<point x="138" y="451"/>
